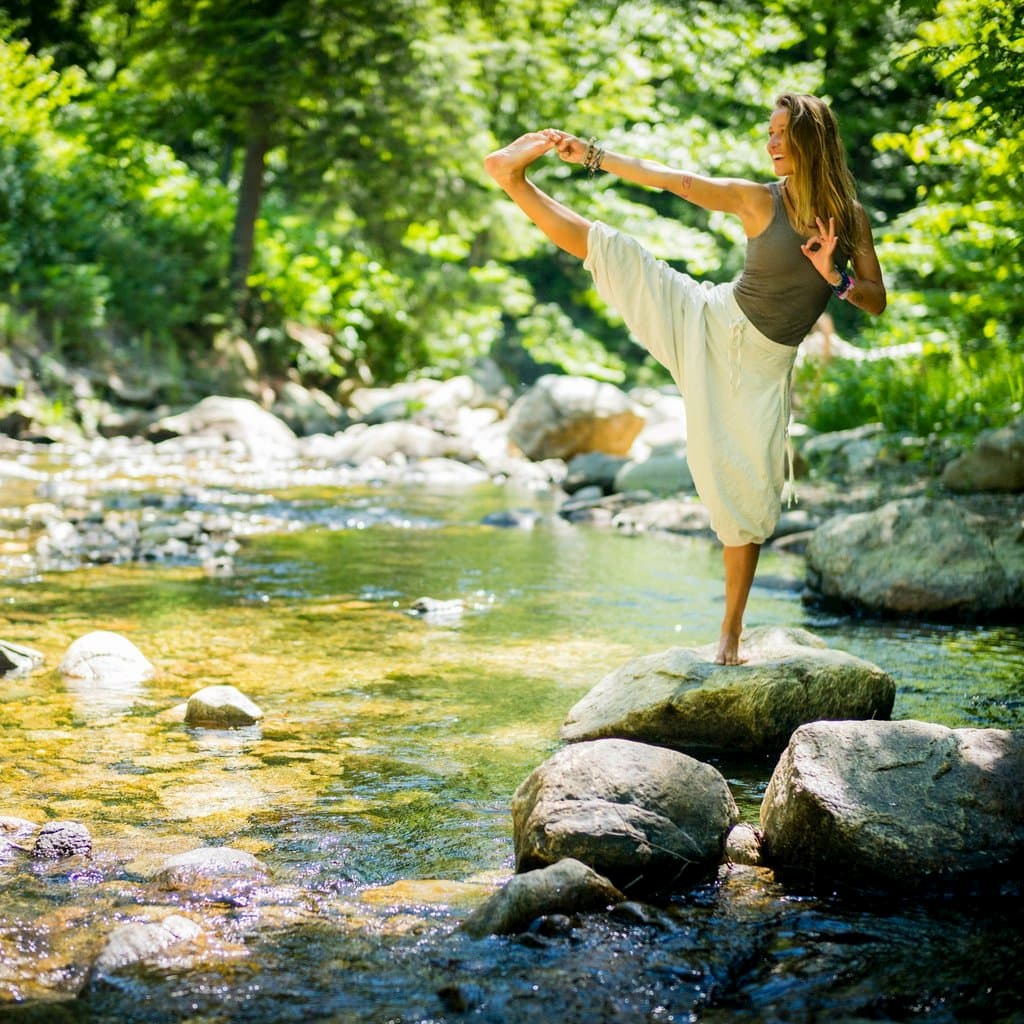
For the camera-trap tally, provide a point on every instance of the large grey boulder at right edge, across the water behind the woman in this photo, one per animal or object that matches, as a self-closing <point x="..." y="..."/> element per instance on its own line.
<point x="918" y="557"/>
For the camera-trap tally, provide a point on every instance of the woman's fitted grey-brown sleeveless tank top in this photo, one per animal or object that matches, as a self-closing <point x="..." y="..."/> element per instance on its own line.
<point x="780" y="291"/>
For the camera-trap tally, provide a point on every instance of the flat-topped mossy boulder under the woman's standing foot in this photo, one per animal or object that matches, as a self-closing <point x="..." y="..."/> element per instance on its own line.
<point x="681" y="699"/>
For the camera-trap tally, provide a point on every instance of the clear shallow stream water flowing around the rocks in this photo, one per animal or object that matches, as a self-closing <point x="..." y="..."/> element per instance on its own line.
<point x="377" y="788"/>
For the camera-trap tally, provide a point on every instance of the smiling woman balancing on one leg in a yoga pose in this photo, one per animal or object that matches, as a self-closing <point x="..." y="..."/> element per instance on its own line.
<point x="730" y="348"/>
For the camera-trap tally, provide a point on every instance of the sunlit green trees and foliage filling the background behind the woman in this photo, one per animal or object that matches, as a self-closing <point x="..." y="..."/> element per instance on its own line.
<point x="382" y="249"/>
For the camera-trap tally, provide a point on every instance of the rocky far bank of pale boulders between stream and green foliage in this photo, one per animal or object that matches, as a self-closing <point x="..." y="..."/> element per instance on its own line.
<point x="466" y="432"/>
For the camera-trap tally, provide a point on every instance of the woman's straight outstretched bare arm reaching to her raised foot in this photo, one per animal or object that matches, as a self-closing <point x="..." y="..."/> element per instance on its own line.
<point x="745" y="199"/>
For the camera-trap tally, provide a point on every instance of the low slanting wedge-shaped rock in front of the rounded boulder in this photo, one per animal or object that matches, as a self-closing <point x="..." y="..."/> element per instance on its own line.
<point x="566" y="887"/>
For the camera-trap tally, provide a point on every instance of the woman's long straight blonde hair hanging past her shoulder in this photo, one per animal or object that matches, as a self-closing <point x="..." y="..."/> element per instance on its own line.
<point x="822" y="183"/>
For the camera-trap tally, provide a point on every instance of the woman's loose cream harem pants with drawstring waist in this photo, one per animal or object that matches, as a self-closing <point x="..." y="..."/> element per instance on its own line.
<point x="735" y="381"/>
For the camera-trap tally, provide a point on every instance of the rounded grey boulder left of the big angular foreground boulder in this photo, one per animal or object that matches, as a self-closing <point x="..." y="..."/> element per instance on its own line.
<point x="645" y="817"/>
